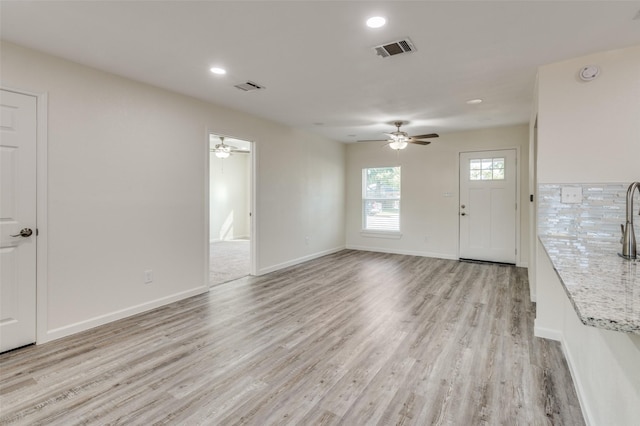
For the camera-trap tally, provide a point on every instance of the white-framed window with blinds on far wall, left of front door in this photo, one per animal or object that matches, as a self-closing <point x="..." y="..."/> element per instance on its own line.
<point x="381" y="199"/>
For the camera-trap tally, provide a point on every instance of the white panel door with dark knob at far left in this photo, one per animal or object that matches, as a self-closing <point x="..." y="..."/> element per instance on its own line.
<point x="17" y="213"/>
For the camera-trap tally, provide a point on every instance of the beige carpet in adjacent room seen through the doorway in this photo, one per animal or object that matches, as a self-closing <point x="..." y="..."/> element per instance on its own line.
<point x="229" y="260"/>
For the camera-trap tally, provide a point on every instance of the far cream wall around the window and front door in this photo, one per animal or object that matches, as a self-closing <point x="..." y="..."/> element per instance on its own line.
<point x="429" y="218"/>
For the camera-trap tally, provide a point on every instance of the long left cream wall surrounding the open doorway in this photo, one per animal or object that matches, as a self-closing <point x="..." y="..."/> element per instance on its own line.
<point x="127" y="187"/>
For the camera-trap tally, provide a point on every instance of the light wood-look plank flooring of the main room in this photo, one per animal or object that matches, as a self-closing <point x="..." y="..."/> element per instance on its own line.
<point x="353" y="338"/>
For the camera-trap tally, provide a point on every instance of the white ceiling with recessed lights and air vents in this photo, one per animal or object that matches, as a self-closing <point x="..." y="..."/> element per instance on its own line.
<point x="315" y="58"/>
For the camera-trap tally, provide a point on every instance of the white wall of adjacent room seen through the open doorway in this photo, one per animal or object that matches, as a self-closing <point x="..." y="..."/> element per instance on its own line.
<point x="229" y="195"/>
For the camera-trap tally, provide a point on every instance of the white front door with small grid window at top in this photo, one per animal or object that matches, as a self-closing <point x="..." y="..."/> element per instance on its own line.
<point x="488" y="206"/>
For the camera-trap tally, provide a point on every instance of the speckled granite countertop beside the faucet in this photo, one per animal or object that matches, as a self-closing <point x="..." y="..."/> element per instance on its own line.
<point x="603" y="287"/>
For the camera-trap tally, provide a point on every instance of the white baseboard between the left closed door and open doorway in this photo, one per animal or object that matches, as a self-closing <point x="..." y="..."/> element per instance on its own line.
<point x="77" y="327"/>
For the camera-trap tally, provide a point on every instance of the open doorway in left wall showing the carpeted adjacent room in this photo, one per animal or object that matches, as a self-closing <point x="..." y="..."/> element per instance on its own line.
<point x="230" y="208"/>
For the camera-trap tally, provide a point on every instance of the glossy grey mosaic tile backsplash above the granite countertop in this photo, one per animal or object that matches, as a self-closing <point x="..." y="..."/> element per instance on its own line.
<point x="600" y="213"/>
